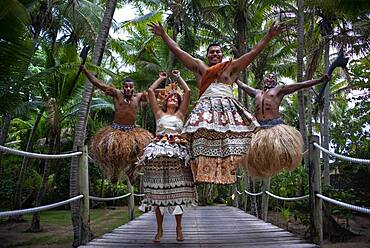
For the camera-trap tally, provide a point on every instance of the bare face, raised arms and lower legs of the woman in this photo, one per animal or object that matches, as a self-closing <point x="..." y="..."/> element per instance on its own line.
<point x="173" y="108"/>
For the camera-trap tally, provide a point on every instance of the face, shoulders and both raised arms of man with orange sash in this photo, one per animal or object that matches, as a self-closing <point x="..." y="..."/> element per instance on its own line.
<point x="214" y="55"/>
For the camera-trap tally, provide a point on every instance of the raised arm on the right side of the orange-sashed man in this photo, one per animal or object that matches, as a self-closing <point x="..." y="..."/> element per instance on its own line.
<point x="242" y="62"/>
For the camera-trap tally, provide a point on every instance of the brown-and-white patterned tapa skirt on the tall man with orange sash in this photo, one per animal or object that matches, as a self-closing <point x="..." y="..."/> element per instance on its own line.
<point x="220" y="130"/>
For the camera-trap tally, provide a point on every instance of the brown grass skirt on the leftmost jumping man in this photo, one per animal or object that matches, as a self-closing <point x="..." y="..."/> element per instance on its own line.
<point x="116" y="151"/>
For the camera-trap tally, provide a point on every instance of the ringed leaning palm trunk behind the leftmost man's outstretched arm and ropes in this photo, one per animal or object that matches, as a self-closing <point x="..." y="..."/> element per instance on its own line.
<point x="80" y="129"/>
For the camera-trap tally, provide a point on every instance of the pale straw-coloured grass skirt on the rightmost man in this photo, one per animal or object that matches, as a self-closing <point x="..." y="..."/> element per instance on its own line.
<point x="272" y="150"/>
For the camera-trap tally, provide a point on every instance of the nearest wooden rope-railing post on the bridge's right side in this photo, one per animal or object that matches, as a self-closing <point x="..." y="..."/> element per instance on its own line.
<point x="315" y="187"/>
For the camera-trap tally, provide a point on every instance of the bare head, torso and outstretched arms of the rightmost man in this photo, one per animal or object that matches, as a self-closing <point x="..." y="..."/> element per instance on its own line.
<point x="268" y="101"/>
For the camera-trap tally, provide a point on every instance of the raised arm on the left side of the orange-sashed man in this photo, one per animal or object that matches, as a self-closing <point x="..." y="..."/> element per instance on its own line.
<point x="193" y="64"/>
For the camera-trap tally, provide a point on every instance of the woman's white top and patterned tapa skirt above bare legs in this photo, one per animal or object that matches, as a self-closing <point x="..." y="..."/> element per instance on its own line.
<point x="168" y="180"/>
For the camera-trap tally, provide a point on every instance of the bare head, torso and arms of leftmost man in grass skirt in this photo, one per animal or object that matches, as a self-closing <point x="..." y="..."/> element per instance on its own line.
<point x="126" y="102"/>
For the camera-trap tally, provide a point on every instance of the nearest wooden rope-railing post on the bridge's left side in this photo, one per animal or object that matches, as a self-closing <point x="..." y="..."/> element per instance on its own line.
<point x="85" y="235"/>
